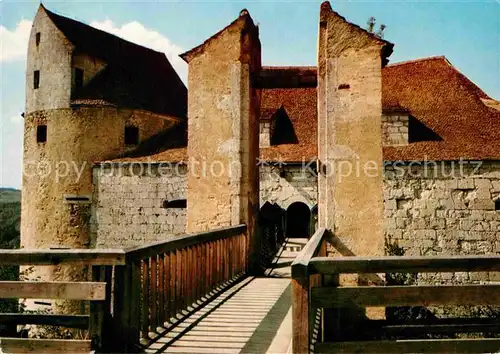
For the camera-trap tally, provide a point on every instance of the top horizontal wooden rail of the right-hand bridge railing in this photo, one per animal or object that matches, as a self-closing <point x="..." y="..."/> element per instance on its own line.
<point x="403" y="264"/>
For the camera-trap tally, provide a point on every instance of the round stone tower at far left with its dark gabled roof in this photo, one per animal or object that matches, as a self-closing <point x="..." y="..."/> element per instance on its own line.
<point x="76" y="115"/>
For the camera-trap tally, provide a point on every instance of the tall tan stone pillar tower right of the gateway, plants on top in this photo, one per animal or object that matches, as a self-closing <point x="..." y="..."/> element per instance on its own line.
<point x="350" y="62"/>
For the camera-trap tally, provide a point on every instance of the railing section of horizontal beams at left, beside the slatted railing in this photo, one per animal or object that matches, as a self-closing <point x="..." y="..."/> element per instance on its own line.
<point x="97" y="292"/>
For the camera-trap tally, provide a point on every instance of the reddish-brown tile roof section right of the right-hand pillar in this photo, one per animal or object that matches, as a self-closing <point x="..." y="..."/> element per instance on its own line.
<point x="446" y="101"/>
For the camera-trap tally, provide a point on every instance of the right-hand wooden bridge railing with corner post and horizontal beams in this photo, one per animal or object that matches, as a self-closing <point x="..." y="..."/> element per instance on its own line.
<point x="391" y="336"/>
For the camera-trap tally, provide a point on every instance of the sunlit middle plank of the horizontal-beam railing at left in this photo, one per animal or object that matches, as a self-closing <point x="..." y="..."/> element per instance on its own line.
<point x="53" y="290"/>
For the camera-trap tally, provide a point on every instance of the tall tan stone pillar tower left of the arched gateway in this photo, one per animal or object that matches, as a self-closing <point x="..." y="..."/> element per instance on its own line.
<point x="223" y="134"/>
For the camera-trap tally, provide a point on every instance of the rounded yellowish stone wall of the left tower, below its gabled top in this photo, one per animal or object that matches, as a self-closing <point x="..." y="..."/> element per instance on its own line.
<point x="60" y="168"/>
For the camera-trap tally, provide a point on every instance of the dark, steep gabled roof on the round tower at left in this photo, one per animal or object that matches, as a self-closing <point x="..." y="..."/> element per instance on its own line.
<point x="135" y="76"/>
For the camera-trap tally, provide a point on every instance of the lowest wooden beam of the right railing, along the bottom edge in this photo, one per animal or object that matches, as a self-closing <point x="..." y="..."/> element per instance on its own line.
<point x="488" y="345"/>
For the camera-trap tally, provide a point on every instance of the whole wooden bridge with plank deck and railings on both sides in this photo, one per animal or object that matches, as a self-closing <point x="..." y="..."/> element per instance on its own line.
<point x="193" y="294"/>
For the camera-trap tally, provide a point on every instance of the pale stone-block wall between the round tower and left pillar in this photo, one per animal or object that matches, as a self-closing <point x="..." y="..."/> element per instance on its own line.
<point x="130" y="204"/>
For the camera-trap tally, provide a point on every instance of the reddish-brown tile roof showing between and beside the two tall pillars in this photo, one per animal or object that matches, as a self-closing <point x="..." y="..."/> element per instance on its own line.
<point x="430" y="89"/>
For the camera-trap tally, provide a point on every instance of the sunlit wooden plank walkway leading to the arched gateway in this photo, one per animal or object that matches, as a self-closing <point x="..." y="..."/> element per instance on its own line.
<point x="253" y="316"/>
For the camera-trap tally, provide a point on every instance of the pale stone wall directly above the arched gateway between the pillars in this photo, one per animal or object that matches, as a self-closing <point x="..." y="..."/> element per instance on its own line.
<point x="288" y="184"/>
